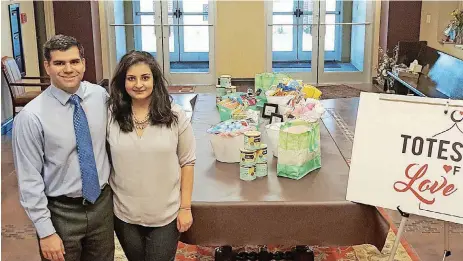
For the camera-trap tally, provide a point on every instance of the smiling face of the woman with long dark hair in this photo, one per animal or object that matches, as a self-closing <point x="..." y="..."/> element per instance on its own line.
<point x="139" y="81"/>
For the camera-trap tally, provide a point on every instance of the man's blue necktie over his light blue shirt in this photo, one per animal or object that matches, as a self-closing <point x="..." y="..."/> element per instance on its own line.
<point x="90" y="184"/>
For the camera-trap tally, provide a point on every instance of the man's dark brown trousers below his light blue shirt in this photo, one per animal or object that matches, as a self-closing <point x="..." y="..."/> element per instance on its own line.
<point x="87" y="230"/>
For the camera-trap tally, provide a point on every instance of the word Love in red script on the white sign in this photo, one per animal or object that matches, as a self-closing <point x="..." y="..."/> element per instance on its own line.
<point x="418" y="186"/>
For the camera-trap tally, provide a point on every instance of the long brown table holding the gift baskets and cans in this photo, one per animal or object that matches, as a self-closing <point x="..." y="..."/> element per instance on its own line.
<point x="274" y="210"/>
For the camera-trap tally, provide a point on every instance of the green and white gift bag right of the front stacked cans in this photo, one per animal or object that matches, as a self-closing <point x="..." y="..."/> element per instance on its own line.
<point x="298" y="149"/>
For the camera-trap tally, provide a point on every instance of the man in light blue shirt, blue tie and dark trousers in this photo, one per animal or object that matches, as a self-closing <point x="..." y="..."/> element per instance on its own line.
<point x="61" y="161"/>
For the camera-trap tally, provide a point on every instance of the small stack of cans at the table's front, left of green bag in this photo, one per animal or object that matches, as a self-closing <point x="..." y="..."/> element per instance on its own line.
<point x="253" y="162"/>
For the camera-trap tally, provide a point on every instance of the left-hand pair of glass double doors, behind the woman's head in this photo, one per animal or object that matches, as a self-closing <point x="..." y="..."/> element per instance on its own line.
<point x="179" y="33"/>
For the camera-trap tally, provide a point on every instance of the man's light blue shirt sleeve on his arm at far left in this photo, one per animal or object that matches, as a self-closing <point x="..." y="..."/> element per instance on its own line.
<point x="28" y="158"/>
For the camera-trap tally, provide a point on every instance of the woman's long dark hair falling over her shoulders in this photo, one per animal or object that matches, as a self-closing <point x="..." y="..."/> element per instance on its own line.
<point x="120" y="102"/>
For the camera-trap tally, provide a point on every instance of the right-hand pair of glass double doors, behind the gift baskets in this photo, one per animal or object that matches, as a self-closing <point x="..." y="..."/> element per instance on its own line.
<point x="320" y="42"/>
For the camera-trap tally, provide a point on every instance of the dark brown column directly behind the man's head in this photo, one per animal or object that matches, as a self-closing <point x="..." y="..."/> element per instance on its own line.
<point x="80" y="19"/>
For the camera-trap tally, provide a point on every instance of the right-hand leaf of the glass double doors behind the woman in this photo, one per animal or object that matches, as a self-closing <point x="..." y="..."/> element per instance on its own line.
<point x="191" y="61"/>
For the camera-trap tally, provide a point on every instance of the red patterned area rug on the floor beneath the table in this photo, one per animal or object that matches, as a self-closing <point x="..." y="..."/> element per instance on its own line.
<point x="364" y="252"/>
